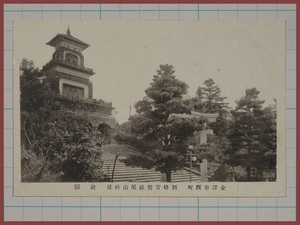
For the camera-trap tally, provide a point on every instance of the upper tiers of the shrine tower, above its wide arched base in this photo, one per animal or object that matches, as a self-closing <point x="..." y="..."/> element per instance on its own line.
<point x="68" y="65"/>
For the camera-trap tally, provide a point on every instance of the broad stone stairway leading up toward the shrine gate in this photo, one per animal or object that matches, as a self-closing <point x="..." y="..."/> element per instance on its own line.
<point x="125" y="173"/>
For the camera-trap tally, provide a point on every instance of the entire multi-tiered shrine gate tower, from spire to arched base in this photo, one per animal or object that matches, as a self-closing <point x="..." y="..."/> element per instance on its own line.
<point x="72" y="82"/>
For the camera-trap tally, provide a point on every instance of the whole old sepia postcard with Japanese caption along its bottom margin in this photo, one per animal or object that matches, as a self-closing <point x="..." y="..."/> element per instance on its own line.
<point x="149" y="108"/>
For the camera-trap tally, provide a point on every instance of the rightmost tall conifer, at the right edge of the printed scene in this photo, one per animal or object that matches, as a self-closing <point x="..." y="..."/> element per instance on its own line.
<point x="252" y="136"/>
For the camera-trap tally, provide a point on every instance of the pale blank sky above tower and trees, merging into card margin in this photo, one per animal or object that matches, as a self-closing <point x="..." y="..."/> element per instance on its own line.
<point x="126" y="54"/>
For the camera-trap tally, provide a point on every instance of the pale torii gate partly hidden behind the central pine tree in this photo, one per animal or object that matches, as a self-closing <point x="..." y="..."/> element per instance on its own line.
<point x="202" y="135"/>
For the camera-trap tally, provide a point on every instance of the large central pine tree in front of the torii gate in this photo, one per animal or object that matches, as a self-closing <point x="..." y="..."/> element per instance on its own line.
<point x="166" y="135"/>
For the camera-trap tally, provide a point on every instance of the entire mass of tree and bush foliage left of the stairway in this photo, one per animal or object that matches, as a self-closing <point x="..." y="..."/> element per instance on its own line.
<point x="56" y="143"/>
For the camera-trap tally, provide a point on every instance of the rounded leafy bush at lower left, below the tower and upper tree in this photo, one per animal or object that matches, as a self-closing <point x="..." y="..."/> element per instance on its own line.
<point x="60" y="150"/>
